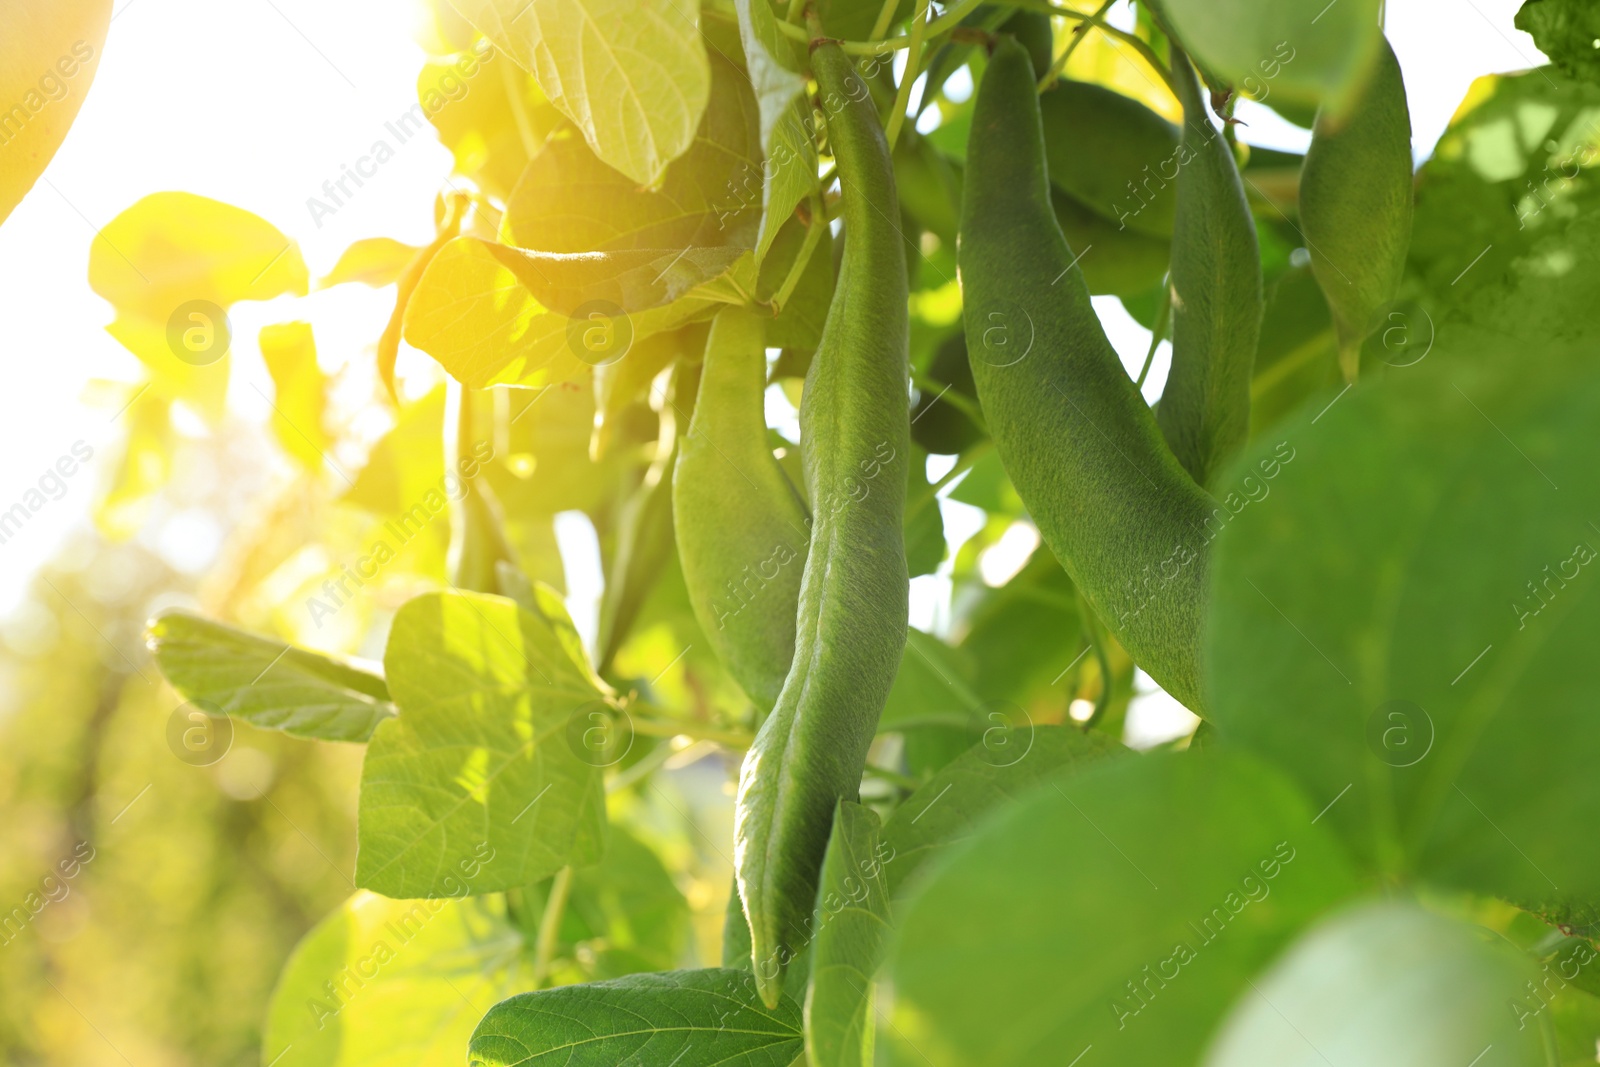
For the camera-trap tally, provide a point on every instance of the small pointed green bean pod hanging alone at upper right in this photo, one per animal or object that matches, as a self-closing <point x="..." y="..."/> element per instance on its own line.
<point x="1356" y="206"/>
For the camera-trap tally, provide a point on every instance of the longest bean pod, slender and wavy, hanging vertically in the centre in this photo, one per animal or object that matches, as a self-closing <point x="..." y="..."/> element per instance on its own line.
<point x="854" y="599"/>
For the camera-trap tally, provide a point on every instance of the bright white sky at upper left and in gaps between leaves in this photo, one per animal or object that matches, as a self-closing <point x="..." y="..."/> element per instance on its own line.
<point x="257" y="103"/>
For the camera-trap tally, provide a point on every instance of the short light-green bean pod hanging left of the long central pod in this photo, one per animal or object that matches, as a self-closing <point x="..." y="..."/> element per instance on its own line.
<point x="742" y="527"/>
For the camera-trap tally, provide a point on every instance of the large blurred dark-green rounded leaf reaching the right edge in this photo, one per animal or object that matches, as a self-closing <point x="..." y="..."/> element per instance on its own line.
<point x="1447" y="717"/>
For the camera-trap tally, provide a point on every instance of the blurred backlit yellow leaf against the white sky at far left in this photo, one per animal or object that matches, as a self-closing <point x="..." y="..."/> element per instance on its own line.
<point x="172" y="266"/>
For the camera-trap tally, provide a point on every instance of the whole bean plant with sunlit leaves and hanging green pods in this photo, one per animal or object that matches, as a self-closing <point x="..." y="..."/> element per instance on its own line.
<point x="1356" y="535"/>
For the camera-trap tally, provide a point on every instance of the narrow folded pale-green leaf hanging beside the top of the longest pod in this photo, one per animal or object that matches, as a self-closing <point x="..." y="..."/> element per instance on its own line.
<point x="790" y="150"/>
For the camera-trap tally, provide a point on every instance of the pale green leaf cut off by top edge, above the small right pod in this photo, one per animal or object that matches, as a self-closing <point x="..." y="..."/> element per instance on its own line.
<point x="1303" y="52"/>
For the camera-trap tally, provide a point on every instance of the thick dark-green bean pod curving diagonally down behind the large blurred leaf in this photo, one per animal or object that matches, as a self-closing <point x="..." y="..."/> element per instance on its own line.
<point x="1079" y="442"/>
